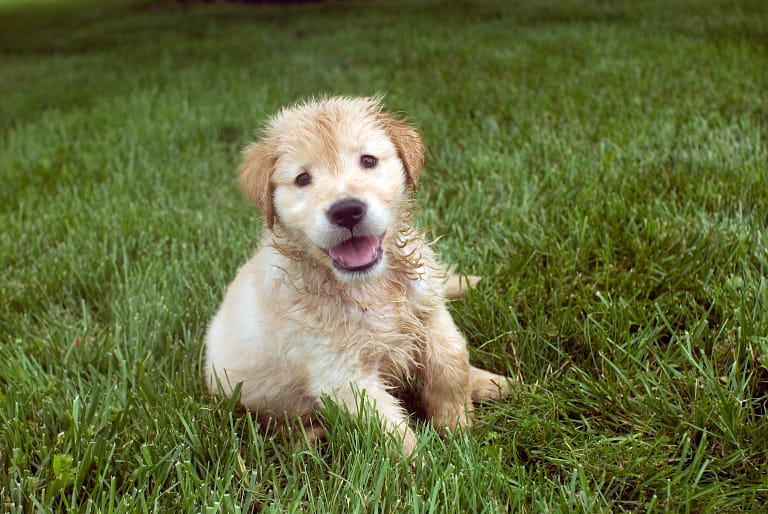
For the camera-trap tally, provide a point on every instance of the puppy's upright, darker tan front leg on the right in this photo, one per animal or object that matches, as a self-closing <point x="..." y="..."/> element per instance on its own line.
<point x="445" y="372"/>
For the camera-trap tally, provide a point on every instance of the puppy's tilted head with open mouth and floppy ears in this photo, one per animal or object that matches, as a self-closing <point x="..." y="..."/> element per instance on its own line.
<point x="334" y="176"/>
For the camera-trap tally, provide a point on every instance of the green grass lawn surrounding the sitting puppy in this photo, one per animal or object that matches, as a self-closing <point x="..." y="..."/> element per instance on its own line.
<point x="602" y="164"/>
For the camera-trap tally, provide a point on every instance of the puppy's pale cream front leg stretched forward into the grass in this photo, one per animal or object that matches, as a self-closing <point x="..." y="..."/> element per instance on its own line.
<point x="391" y="414"/>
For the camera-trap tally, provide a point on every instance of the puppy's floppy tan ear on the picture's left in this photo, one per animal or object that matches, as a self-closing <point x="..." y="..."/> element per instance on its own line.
<point x="256" y="178"/>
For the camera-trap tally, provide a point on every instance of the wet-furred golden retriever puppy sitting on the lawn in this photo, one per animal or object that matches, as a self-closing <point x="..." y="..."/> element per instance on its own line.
<point x="343" y="295"/>
